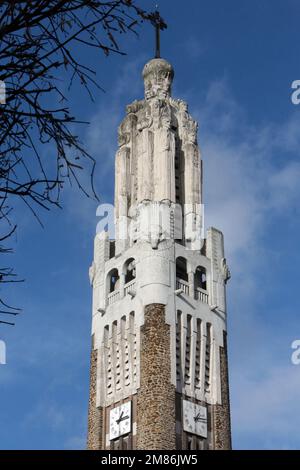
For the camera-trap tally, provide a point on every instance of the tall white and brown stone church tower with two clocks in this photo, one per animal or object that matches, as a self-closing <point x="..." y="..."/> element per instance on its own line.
<point x="159" y="377"/>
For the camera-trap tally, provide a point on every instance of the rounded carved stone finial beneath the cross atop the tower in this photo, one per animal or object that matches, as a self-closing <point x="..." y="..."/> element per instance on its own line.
<point x="158" y="75"/>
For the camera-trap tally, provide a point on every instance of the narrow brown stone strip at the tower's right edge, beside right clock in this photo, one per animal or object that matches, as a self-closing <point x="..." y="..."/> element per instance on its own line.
<point x="221" y="413"/>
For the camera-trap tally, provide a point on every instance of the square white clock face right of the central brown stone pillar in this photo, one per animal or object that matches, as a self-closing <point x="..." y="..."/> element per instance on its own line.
<point x="194" y="418"/>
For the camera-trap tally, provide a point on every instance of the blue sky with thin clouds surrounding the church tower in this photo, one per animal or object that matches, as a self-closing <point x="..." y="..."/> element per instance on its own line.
<point x="234" y="63"/>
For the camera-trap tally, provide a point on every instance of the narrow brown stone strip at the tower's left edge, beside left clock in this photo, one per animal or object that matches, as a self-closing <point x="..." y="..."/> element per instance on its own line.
<point x="95" y="415"/>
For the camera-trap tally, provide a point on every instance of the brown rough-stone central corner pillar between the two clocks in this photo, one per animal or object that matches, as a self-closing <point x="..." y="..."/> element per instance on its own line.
<point x="156" y="396"/>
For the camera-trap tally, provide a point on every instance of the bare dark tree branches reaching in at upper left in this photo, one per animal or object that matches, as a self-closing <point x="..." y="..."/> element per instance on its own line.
<point x="38" y="39"/>
